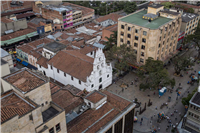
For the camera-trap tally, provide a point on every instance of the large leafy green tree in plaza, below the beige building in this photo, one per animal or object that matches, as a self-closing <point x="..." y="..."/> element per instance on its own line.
<point x="154" y="75"/>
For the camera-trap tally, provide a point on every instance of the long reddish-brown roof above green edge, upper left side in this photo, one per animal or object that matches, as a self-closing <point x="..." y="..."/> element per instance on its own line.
<point x="16" y="34"/>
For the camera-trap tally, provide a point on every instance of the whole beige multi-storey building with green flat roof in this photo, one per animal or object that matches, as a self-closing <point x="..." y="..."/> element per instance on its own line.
<point x="152" y="32"/>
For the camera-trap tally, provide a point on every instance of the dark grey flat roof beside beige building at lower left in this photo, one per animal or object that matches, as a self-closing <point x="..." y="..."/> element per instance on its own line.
<point x="49" y="113"/>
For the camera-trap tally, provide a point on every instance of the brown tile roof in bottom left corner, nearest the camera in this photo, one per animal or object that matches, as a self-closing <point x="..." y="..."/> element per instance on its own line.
<point x="11" y="104"/>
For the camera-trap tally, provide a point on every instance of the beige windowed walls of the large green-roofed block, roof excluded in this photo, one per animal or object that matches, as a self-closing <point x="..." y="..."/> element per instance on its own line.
<point x="167" y="39"/>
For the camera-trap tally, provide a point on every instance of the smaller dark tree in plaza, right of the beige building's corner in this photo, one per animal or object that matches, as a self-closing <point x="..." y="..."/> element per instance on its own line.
<point x="180" y="63"/>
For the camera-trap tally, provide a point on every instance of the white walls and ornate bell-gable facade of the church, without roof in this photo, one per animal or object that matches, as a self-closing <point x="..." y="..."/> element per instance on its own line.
<point x="92" y="83"/>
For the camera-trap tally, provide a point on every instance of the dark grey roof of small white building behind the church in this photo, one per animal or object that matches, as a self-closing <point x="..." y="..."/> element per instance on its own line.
<point x="54" y="46"/>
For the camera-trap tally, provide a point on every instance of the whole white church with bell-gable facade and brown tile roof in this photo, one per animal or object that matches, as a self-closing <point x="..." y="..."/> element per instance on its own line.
<point x="84" y="71"/>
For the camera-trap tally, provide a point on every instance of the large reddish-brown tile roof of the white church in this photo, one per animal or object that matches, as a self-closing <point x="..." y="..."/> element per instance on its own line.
<point x="73" y="63"/>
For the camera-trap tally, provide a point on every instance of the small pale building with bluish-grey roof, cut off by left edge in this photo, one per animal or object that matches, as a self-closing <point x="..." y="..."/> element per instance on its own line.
<point x="7" y="57"/>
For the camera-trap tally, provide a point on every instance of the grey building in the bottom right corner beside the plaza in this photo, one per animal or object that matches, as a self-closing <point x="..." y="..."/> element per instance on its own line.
<point x="192" y="121"/>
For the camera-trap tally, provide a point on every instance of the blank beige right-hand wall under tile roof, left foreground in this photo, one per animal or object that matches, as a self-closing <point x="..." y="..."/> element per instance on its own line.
<point x="41" y="95"/>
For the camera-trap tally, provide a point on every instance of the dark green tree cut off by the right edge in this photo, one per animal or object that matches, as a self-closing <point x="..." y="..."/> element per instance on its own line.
<point x="196" y="39"/>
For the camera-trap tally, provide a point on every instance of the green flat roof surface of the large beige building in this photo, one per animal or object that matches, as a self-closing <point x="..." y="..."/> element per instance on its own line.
<point x="137" y="19"/>
